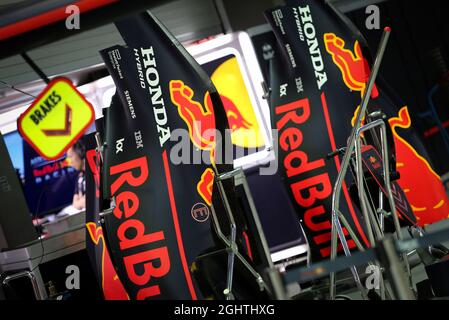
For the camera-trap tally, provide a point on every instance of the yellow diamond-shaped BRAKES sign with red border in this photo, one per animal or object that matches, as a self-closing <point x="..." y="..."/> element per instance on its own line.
<point x="56" y="119"/>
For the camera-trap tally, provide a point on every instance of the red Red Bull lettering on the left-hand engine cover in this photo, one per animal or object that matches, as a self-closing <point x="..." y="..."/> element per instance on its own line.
<point x="126" y="178"/>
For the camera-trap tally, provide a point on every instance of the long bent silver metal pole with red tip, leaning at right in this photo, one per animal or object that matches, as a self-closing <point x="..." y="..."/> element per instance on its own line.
<point x="336" y="226"/>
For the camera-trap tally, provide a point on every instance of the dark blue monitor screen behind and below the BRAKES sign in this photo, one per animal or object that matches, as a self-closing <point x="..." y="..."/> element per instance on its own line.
<point x="48" y="186"/>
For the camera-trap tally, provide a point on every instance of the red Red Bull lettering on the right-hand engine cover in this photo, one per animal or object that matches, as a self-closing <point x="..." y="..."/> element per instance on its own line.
<point x="311" y="194"/>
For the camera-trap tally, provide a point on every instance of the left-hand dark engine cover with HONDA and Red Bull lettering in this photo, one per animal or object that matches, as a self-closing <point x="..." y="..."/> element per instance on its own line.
<point x="158" y="228"/>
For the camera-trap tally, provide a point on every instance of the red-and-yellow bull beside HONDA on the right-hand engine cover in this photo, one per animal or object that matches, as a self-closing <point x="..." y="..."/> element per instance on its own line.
<point x="353" y="66"/>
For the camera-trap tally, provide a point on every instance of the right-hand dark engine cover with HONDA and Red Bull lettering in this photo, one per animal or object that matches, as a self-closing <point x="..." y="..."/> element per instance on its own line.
<point x="312" y="108"/>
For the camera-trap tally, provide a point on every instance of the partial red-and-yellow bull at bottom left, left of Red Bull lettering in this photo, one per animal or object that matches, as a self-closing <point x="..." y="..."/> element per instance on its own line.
<point x="112" y="287"/>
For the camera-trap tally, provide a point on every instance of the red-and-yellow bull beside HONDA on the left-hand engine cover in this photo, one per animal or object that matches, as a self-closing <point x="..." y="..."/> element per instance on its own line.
<point x="201" y="125"/>
